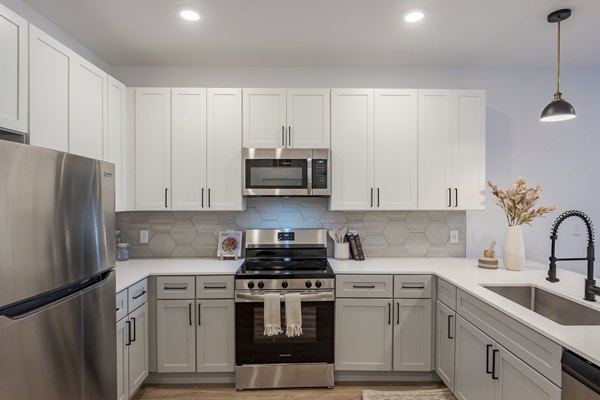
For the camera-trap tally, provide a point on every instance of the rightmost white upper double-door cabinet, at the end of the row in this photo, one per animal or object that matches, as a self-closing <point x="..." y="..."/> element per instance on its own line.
<point x="451" y="149"/>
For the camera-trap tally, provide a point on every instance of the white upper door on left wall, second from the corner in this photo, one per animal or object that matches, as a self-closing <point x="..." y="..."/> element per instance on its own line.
<point x="87" y="109"/>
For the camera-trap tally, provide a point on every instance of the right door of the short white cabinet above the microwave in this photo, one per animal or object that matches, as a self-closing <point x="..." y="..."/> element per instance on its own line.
<point x="308" y="118"/>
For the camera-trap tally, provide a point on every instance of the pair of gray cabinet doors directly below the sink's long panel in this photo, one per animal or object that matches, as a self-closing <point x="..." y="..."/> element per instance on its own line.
<point x="486" y="370"/>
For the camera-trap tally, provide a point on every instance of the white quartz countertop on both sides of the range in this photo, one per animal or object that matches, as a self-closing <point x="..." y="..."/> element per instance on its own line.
<point x="463" y="273"/>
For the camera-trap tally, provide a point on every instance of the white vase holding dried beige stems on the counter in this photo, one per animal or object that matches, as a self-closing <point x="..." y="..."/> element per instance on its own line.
<point x="518" y="203"/>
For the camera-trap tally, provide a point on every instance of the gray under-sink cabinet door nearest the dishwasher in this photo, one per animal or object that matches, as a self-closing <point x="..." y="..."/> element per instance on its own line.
<point x="518" y="381"/>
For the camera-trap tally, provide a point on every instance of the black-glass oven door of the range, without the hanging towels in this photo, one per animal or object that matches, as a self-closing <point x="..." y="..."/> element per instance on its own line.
<point x="315" y="345"/>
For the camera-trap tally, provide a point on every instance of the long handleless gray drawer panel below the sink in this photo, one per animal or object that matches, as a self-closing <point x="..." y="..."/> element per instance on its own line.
<point x="536" y="350"/>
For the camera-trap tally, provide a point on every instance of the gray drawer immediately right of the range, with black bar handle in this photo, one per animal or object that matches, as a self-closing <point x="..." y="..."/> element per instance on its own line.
<point x="378" y="286"/>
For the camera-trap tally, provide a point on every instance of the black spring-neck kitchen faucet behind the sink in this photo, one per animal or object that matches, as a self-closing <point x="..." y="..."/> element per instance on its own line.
<point x="591" y="290"/>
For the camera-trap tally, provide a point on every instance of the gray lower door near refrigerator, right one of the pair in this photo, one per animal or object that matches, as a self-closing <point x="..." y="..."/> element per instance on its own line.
<point x="138" y="349"/>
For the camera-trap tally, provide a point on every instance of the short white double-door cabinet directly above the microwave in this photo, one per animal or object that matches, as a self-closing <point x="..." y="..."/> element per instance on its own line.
<point x="292" y="118"/>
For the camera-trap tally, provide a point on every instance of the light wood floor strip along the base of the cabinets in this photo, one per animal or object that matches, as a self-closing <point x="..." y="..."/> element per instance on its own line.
<point x="201" y="392"/>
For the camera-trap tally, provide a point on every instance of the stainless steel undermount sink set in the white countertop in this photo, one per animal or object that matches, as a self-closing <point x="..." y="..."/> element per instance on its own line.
<point x="556" y="308"/>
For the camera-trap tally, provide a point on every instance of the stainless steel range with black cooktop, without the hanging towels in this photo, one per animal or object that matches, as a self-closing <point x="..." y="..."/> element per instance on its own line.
<point x="285" y="261"/>
